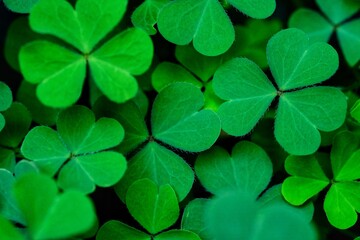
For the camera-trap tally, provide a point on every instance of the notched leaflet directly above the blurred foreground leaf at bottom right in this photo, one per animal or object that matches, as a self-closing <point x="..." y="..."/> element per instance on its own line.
<point x="248" y="169"/>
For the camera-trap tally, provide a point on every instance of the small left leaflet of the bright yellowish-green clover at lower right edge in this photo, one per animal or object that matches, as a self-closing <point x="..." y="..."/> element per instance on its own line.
<point x="302" y="185"/>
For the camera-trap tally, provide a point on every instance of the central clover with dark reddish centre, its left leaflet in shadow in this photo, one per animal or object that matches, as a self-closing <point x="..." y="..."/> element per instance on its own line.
<point x="178" y="121"/>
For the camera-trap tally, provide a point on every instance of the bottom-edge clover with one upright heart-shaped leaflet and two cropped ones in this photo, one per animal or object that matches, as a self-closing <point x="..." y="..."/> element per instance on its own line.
<point x="155" y="208"/>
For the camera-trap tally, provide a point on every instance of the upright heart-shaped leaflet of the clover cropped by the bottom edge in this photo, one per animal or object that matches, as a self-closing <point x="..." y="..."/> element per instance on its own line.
<point x="154" y="207"/>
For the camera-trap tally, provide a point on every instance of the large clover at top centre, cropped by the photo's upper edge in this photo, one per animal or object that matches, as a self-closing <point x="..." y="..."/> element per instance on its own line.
<point x="183" y="21"/>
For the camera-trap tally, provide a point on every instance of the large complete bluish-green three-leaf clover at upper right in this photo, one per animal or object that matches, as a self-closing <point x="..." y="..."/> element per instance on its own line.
<point x="303" y="109"/>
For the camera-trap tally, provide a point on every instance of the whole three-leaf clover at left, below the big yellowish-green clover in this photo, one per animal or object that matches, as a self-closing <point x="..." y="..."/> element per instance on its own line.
<point x="78" y="150"/>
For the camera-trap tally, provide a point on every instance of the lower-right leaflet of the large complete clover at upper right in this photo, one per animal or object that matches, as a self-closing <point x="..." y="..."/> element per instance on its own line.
<point x="302" y="113"/>
